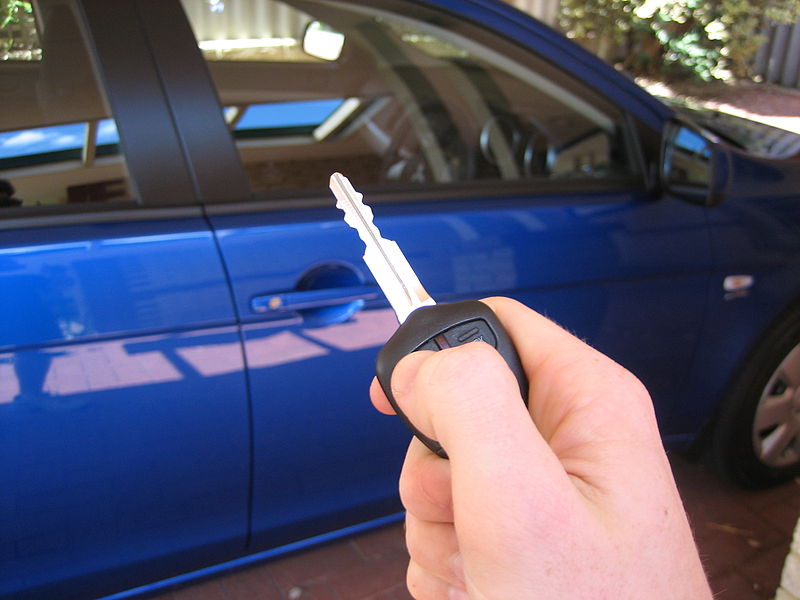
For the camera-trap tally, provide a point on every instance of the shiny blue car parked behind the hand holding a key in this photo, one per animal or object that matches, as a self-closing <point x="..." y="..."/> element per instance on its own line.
<point x="189" y="331"/>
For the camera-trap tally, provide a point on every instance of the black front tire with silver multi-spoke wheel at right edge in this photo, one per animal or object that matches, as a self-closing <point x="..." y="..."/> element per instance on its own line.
<point x="756" y="440"/>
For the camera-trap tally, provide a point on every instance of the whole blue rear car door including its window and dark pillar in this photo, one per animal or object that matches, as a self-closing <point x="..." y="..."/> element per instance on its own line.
<point x="124" y="432"/>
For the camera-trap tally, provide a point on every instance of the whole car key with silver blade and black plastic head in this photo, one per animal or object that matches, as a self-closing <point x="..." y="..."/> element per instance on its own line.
<point x="424" y="325"/>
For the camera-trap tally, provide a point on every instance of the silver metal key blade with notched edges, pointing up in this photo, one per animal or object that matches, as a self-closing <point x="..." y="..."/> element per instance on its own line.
<point x="383" y="257"/>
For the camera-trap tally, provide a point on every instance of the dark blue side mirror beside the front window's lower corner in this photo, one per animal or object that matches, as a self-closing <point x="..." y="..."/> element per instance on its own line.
<point x="694" y="165"/>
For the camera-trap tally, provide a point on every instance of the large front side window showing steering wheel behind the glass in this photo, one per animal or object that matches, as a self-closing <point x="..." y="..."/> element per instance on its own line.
<point x="311" y="87"/>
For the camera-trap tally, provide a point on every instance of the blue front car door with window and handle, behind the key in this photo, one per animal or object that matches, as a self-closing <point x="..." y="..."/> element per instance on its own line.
<point x="498" y="169"/>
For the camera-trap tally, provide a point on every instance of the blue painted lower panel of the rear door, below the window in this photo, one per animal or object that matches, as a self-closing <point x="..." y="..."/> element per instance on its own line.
<point x="123" y="413"/>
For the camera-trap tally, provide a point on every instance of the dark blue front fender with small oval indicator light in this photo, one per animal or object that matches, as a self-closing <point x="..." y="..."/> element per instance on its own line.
<point x="754" y="232"/>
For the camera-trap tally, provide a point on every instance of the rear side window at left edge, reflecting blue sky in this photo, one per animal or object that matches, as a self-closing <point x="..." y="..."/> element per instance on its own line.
<point x="58" y="141"/>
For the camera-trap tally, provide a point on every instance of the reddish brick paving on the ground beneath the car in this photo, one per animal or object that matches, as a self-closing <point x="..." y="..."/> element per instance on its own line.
<point x="743" y="538"/>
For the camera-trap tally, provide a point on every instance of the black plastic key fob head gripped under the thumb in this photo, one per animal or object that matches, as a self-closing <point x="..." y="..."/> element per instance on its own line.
<point x="444" y="326"/>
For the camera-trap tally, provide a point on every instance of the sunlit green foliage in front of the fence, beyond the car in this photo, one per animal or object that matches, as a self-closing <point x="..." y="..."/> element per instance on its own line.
<point x="703" y="39"/>
